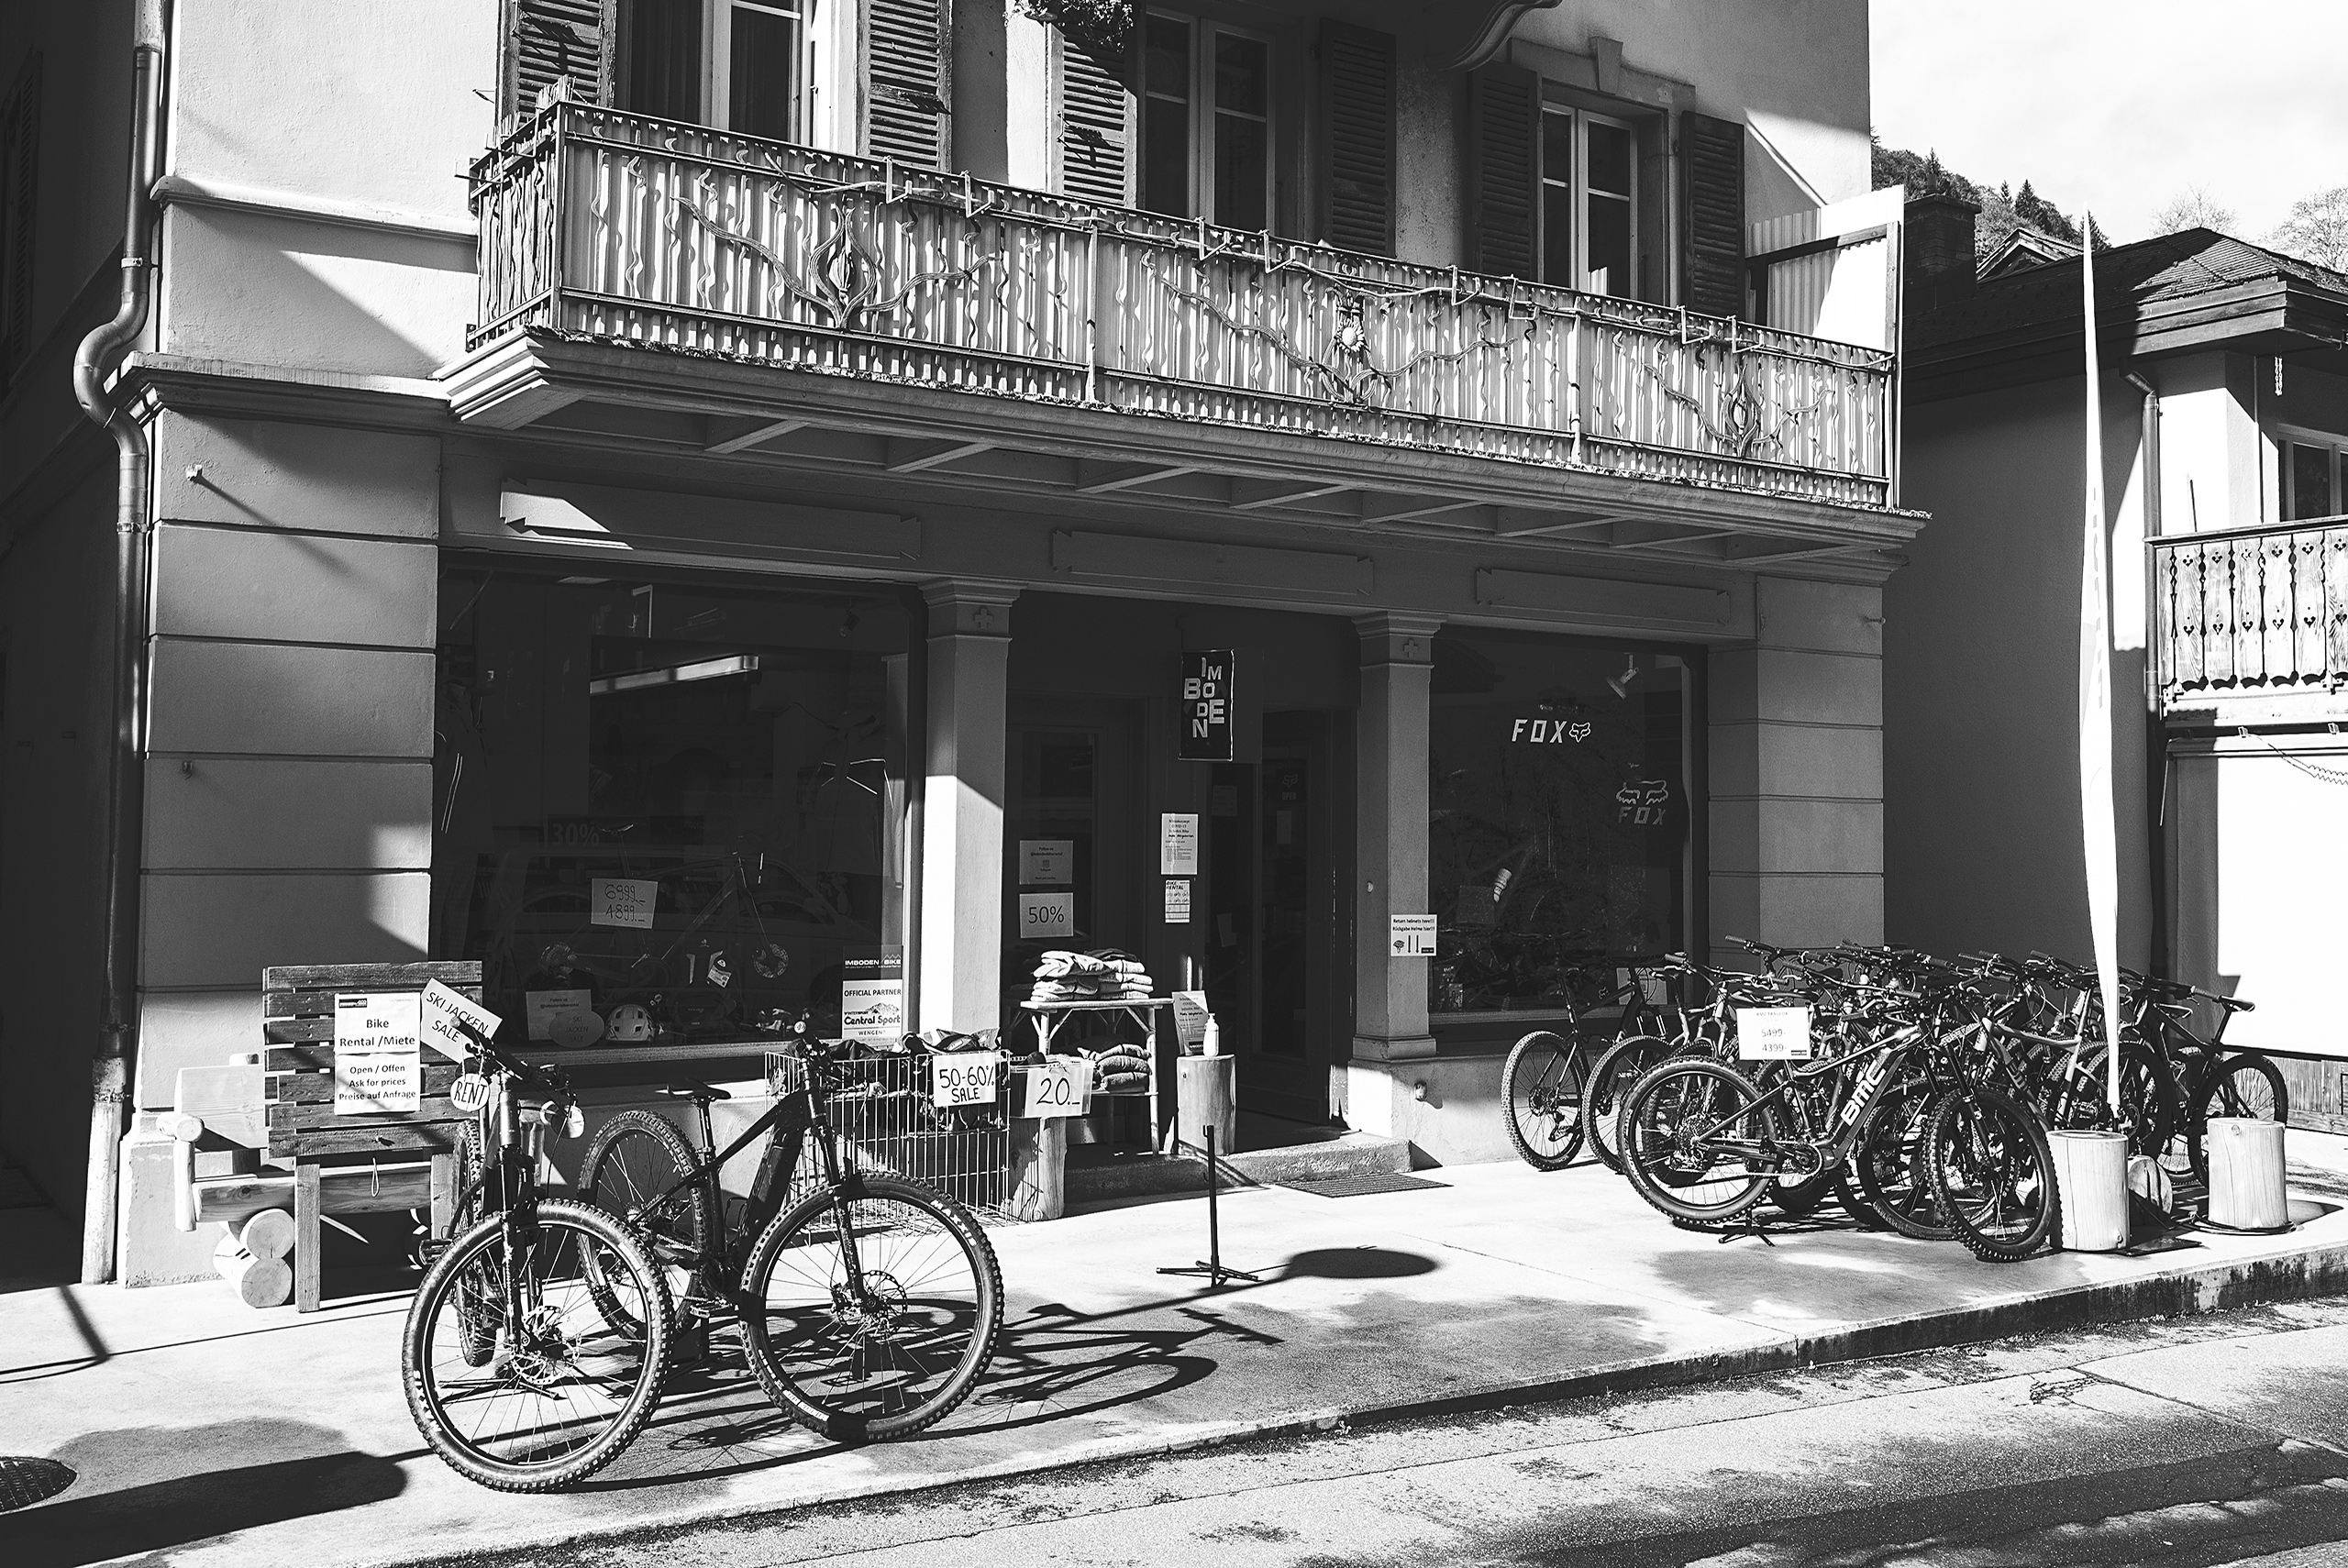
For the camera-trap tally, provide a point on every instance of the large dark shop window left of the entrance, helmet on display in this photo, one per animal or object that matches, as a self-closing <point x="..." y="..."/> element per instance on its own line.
<point x="668" y="811"/>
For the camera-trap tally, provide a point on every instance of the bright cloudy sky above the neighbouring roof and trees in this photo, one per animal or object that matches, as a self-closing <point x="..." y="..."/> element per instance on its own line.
<point x="2121" y="104"/>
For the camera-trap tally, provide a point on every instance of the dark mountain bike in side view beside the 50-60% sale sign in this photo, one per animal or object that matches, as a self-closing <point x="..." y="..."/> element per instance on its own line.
<point x="868" y="1306"/>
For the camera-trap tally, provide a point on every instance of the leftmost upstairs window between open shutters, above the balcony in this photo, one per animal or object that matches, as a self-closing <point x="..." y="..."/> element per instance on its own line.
<point x="736" y="65"/>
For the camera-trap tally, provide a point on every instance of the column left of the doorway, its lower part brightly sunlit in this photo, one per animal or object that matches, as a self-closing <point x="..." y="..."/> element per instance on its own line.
<point x="962" y="825"/>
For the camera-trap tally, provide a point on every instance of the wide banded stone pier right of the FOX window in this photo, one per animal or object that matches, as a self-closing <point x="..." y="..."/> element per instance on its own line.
<point x="1797" y="771"/>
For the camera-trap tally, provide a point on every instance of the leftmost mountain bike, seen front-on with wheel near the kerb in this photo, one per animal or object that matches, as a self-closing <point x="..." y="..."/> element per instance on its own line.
<point x="539" y="1337"/>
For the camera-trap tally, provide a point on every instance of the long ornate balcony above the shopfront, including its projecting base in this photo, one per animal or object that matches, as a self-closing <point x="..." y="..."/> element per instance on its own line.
<point x="1351" y="381"/>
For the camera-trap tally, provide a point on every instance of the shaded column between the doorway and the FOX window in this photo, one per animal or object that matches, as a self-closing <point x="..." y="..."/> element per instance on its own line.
<point x="1391" y="856"/>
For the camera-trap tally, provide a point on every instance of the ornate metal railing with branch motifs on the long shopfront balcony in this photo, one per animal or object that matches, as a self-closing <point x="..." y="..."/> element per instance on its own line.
<point x="600" y="224"/>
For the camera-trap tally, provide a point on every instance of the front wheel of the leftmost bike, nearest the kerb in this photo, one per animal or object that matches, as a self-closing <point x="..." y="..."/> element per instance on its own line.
<point x="565" y="1391"/>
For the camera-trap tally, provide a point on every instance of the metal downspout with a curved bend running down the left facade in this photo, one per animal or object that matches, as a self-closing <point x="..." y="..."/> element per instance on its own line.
<point x="119" y="1027"/>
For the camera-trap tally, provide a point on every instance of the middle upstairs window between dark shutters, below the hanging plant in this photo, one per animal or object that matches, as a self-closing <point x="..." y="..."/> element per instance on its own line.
<point x="1208" y="123"/>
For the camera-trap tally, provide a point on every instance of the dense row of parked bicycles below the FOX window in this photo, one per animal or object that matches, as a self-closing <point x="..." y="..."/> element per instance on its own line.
<point x="1919" y="1100"/>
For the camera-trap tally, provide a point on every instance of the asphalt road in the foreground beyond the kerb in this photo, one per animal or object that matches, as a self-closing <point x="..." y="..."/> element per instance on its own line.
<point x="2213" y="1440"/>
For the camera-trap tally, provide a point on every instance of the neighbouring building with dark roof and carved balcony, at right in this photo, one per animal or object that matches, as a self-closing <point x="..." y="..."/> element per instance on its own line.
<point x="2225" y="421"/>
